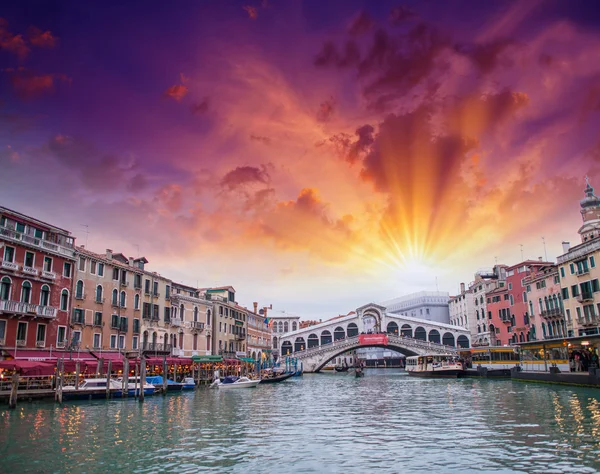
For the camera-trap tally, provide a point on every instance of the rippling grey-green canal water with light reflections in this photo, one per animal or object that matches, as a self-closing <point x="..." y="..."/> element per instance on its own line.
<point x="320" y="423"/>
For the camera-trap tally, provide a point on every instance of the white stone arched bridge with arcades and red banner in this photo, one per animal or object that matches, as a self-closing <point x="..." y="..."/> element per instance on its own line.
<point x="316" y="345"/>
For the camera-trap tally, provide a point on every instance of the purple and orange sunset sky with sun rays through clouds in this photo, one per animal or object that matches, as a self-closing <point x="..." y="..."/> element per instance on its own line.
<point x="316" y="156"/>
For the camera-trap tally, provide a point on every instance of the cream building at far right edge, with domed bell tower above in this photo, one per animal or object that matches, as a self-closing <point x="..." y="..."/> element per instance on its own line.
<point x="579" y="274"/>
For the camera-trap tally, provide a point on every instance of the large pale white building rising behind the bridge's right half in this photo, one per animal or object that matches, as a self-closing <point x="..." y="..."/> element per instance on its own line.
<point x="427" y="305"/>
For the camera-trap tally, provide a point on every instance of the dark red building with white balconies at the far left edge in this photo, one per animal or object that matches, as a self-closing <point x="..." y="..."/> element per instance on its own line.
<point x="36" y="282"/>
